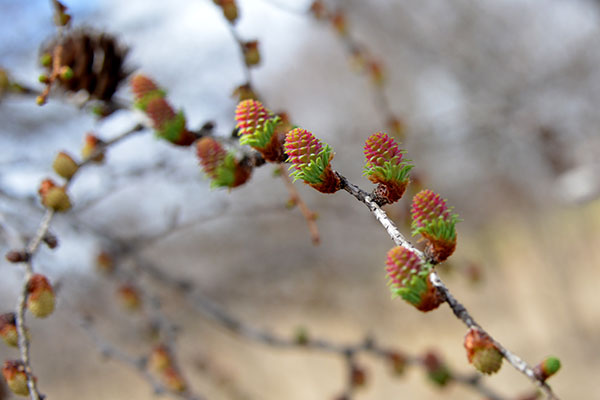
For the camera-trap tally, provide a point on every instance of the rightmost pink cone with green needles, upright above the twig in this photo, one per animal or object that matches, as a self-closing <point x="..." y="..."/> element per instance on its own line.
<point x="434" y="220"/>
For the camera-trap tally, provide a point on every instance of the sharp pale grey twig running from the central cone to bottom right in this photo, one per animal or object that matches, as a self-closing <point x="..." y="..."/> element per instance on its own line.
<point x="457" y="308"/>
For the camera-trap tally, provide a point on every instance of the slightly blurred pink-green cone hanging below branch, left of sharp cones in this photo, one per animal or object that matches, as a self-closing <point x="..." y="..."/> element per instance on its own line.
<point x="220" y="165"/>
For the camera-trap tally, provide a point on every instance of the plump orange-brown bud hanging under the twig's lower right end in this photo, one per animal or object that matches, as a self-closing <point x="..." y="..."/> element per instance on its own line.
<point x="482" y="352"/>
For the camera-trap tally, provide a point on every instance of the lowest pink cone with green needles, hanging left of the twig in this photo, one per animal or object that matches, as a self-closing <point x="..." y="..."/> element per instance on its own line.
<point x="408" y="278"/>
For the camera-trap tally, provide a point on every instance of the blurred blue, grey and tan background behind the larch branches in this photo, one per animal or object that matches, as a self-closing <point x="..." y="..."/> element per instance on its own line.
<point x="497" y="100"/>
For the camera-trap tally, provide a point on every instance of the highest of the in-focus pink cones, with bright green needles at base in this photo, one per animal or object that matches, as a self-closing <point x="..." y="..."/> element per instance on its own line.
<point x="258" y="128"/>
